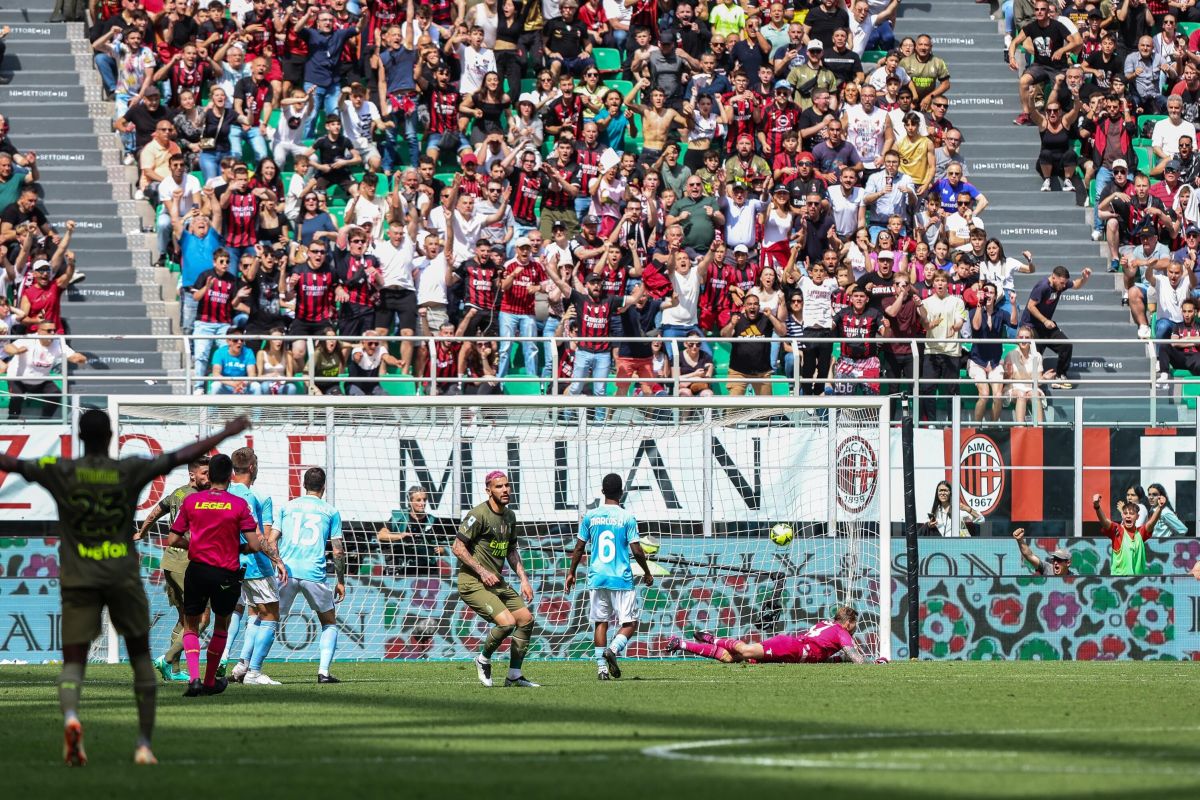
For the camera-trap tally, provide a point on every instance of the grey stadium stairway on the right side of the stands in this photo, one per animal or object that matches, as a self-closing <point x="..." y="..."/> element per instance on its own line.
<point x="1000" y="161"/>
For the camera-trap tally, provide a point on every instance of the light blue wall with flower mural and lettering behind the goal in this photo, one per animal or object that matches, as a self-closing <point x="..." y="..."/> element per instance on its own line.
<point x="979" y="603"/>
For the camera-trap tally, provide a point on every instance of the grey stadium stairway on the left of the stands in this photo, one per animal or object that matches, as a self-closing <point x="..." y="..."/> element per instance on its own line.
<point x="55" y="107"/>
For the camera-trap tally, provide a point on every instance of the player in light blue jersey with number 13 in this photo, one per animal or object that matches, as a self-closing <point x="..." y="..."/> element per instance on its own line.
<point x="307" y="526"/>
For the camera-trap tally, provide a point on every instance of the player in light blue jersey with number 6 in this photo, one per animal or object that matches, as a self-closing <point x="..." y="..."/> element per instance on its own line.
<point x="609" y="536"/>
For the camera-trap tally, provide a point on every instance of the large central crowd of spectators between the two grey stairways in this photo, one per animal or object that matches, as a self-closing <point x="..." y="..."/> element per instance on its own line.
<point x="565" y="173"/>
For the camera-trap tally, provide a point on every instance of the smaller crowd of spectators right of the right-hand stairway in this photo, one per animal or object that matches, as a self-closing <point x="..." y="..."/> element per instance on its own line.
<point x="1114" y="89"/>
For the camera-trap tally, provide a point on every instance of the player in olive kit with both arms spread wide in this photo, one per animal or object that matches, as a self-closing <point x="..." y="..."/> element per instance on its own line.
<point x="97" y="498"/>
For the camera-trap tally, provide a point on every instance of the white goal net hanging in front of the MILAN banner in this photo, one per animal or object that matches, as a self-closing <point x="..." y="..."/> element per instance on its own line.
<point x="707" y="480"/>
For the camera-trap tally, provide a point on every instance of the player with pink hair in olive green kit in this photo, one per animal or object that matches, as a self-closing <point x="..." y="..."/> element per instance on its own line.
<point x="488" y="539"/>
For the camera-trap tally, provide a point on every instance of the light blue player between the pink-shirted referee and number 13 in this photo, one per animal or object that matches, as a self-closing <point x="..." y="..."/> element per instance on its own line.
<point x="260" y="591"/>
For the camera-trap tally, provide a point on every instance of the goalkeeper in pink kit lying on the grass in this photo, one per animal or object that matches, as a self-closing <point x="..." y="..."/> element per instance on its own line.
<point x="825" y="642"/>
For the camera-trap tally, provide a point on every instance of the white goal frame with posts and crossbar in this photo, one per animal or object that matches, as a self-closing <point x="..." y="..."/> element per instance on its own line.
<point x="880" y="405"/>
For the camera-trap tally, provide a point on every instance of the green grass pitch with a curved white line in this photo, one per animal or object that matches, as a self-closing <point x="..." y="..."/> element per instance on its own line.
<point x="931" y="730"/>
